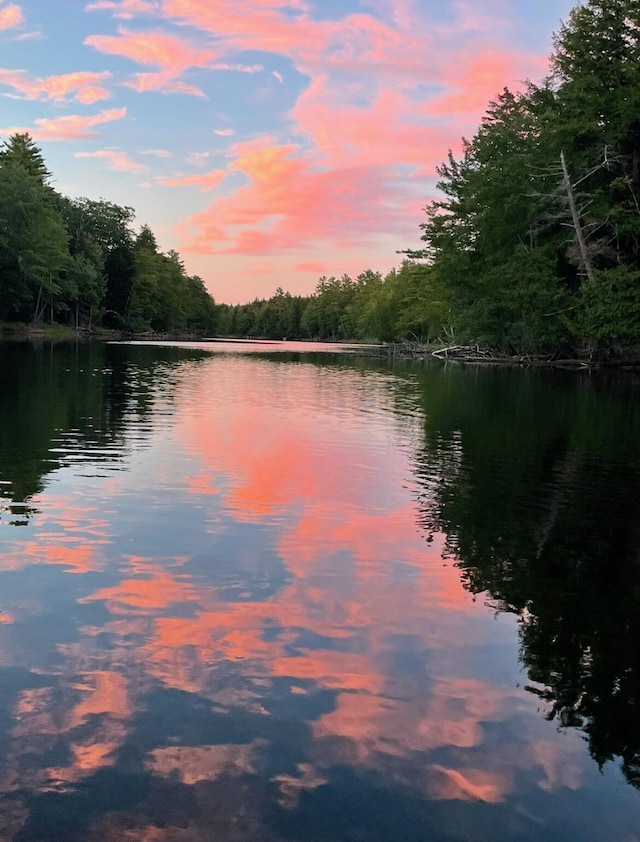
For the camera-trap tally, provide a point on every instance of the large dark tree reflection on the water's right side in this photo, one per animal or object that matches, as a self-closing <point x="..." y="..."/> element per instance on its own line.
<point x="539" y="499"/>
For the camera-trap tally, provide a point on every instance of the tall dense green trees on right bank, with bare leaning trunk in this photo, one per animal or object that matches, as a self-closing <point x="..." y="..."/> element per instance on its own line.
<point x="536" y="240"/>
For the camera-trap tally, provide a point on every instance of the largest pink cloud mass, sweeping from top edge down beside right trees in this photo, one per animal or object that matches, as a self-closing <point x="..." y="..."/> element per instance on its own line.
<point x="372" y="136"/>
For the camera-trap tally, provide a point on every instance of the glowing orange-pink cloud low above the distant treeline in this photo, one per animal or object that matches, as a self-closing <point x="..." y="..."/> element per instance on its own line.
<point x="291" y="203"/>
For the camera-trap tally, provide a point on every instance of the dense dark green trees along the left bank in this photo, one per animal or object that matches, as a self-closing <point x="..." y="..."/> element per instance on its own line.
<point x="79" y="262"/>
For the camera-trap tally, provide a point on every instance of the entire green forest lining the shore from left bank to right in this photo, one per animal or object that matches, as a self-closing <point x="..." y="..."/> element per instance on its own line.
<point x="531" y="253"/>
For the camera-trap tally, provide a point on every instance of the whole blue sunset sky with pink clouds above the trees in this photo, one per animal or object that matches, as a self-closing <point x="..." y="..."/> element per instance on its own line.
<point x="269" y="141"/>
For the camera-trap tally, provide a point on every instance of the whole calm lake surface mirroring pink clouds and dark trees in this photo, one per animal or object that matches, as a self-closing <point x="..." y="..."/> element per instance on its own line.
<point x="254" y="596"/>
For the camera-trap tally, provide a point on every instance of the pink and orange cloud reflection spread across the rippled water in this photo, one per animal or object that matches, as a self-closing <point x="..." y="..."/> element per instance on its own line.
<point x="326" y="468"/>
